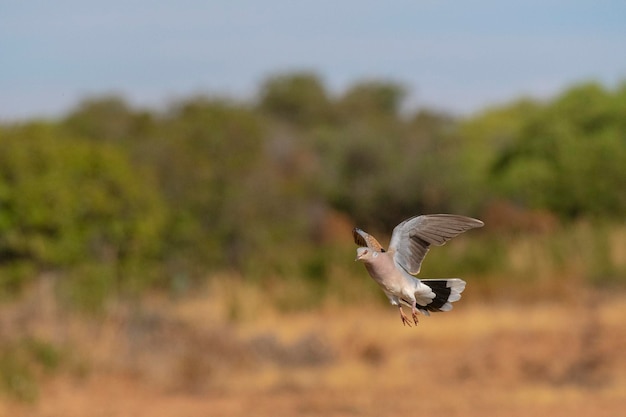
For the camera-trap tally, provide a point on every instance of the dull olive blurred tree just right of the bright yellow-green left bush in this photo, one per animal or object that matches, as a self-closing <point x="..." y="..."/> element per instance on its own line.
<point x="207" y="163"/>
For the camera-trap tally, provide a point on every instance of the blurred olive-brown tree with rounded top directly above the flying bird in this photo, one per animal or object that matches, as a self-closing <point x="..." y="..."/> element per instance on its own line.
<point x="379" y="163"/>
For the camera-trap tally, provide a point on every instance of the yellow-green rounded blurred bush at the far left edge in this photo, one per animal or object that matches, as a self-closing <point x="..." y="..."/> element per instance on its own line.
<point x="66" y="202"/>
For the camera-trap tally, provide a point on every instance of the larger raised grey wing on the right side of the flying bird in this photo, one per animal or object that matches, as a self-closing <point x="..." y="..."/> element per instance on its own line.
<point x="412" y="238"/>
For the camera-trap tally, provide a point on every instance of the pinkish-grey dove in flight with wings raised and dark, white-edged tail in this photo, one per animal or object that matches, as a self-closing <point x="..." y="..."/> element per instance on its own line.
<point x="394" y="269"/>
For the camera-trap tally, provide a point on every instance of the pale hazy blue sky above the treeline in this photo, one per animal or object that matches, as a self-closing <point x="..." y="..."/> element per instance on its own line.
<point x="459" y="56"/>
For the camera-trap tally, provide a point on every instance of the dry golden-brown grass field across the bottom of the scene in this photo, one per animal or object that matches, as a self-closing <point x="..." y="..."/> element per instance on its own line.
<point x="185" y="358"/>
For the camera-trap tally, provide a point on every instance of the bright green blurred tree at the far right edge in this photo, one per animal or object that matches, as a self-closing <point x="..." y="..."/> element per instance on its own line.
<point x="566" y="155"/>
